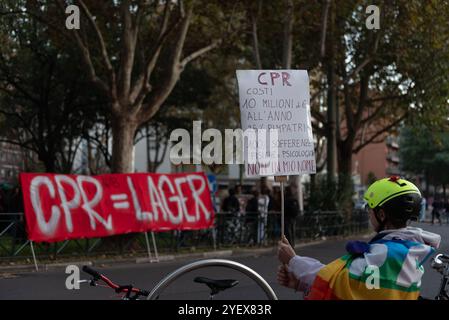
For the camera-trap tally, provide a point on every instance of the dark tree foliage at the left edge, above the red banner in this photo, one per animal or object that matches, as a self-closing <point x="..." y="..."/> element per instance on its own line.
<point x="42" y="93"/>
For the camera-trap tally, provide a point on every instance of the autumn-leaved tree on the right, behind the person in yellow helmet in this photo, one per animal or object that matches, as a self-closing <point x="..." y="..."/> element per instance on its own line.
<point x="364" y="83"/>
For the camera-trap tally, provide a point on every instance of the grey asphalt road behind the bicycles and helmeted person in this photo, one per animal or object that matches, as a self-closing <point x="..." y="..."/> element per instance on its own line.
<point x="51" y="284"/>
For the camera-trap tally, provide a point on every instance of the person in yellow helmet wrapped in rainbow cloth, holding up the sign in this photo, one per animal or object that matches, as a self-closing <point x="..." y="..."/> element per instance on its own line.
<point x="389" y="266"/>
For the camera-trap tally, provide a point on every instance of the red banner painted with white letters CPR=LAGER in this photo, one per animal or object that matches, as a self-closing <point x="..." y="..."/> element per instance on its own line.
<point x="61" y="207"/>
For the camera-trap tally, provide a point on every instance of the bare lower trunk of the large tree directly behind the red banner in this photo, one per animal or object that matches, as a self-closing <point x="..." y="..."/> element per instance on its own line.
<point x="123" y="131"/>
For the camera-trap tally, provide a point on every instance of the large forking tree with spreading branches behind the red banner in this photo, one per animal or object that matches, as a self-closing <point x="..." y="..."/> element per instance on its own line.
<point x="134" y="52"/>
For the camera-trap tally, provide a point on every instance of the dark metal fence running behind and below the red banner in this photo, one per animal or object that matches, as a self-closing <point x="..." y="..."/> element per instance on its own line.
<point x="230" y="231"/>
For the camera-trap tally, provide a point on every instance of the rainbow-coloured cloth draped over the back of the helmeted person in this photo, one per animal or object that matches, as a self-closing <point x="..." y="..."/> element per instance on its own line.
<point x="390" y="266"/>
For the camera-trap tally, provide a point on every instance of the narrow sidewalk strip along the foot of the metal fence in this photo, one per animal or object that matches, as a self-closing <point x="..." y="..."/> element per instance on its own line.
<point x="225" y="254"/>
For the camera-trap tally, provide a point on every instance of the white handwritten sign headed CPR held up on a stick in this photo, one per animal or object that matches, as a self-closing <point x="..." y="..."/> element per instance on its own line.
<point x="279" y="99"/>
